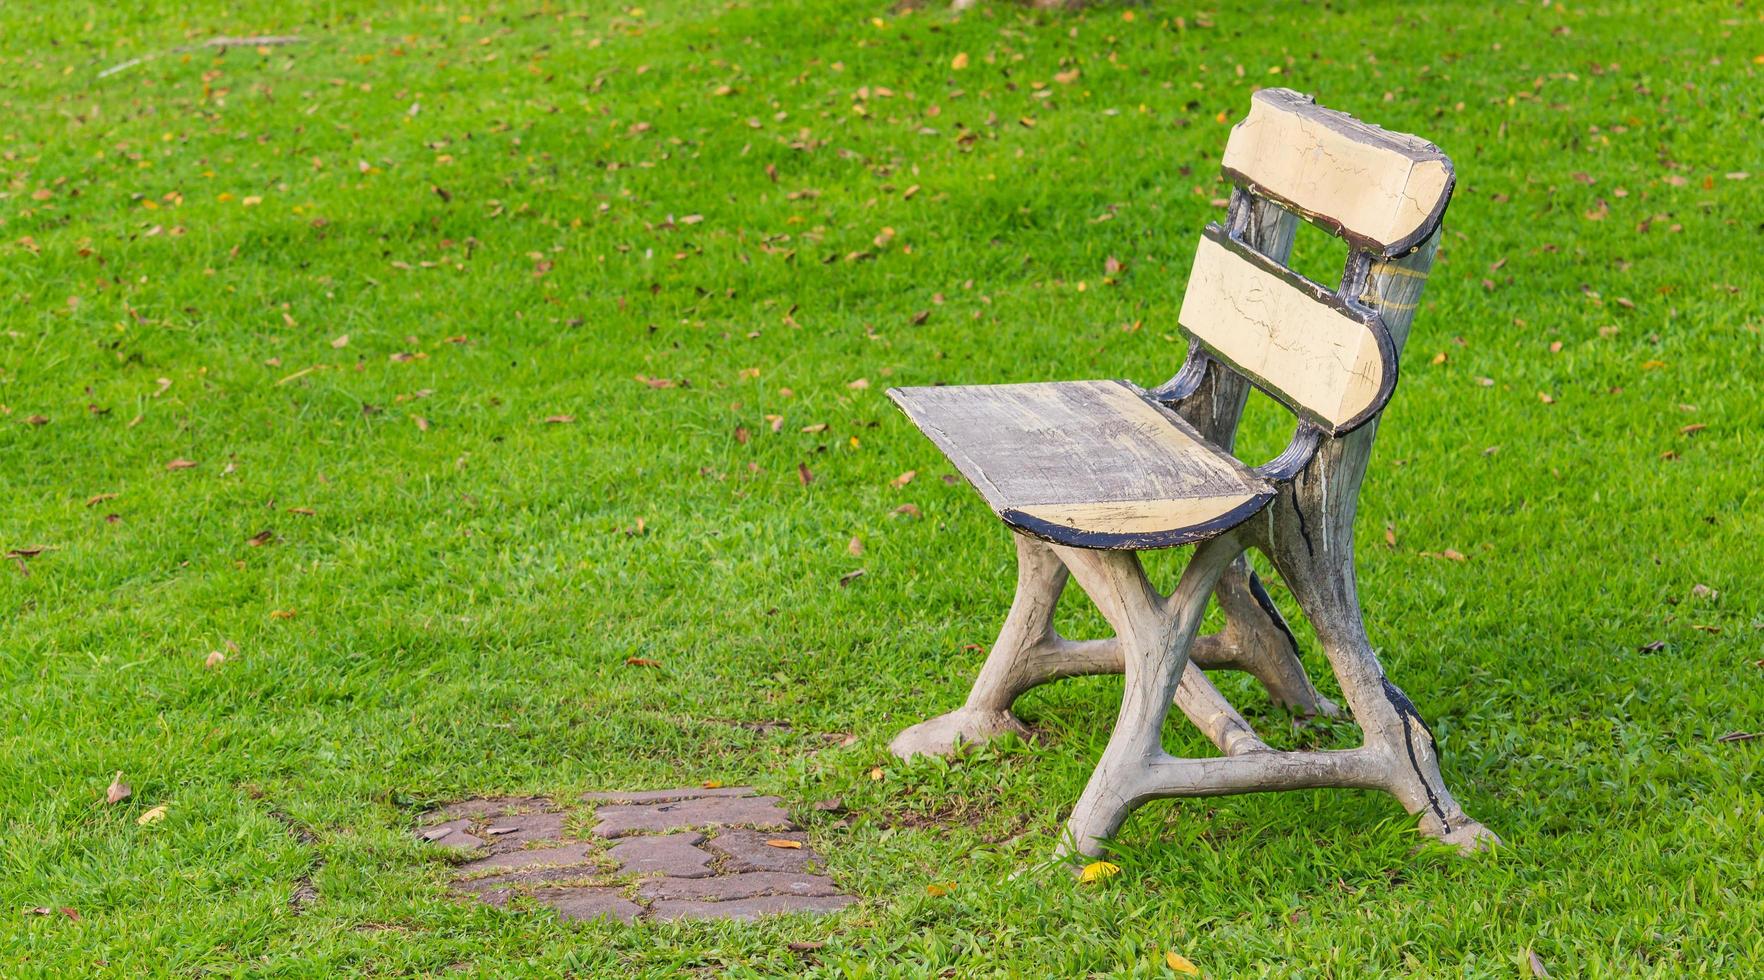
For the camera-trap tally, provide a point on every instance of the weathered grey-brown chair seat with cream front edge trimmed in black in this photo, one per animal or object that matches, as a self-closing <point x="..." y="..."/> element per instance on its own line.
<point x="1091" y="464"/>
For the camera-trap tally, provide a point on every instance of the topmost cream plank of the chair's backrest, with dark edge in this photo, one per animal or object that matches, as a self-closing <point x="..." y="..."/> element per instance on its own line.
<point x="1382" y="191"/>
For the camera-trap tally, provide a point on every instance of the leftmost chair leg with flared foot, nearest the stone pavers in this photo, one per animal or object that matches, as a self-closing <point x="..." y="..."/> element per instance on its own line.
<point x="1028" y="653"/>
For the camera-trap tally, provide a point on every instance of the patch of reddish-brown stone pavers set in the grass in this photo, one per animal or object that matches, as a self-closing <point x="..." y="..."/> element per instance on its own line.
<point x="657" y="854"/>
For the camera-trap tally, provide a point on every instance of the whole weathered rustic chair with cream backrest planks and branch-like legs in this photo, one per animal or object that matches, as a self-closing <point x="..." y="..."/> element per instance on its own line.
<point x="1091" y="473"/>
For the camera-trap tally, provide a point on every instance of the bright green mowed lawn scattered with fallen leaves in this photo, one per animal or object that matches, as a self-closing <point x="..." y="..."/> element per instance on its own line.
<point x="498" y="390"/>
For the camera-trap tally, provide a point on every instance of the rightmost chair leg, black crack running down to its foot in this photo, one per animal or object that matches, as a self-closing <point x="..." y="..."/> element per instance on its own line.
<point x="1319" y="568"/>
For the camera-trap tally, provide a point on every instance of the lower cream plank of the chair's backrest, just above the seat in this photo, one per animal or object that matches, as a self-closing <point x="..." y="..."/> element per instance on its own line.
<point x="1301" y="343"/>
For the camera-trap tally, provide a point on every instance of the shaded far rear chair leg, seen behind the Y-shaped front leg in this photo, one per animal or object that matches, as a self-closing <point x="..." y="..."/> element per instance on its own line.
<point x="1259" y="642"/>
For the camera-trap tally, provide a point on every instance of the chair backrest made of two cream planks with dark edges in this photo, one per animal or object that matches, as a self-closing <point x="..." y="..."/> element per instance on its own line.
<point x="1326" y="352"/>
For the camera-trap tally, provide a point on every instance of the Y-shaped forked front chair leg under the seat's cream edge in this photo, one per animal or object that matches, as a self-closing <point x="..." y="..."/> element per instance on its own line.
<point x="1155" y="637"/>
